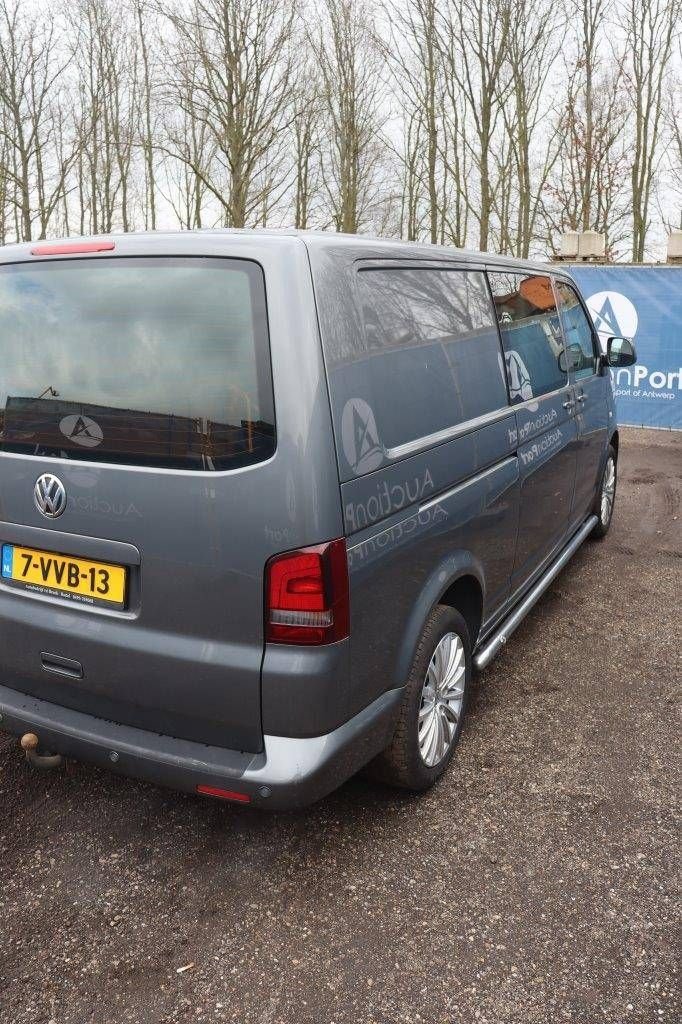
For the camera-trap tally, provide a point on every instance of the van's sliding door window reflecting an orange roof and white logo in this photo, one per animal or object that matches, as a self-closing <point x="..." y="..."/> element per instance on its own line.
<point x="531" y="334"/>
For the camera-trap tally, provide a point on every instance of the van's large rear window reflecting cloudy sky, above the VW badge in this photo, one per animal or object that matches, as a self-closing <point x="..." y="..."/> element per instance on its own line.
<point x="147" y="362"/>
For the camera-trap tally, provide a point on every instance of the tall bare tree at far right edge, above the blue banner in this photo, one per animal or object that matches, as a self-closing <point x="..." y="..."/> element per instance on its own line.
<point x="653" y="28"/>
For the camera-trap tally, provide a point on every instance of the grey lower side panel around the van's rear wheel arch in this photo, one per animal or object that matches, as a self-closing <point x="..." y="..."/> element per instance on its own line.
<point x="405" y="569"/>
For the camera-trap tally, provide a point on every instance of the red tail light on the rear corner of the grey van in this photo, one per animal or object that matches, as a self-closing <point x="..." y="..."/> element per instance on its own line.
<point x="307" y="594"/>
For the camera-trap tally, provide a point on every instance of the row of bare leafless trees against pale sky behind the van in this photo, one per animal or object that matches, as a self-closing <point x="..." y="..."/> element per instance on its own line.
<point x="498" y="123"/>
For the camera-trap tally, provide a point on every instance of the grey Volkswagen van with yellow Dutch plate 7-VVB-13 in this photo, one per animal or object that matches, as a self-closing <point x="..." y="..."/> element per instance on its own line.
<point x="269" y="499"/>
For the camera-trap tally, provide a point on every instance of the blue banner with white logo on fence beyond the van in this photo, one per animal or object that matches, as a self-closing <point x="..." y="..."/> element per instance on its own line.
<point x="644" y="304"/>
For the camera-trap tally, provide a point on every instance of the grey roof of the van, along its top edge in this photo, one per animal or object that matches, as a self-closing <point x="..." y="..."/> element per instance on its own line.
<point x="362" y="246"/>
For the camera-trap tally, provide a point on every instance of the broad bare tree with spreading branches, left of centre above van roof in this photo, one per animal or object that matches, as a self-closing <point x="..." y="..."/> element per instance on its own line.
<point x="232" y="73"/>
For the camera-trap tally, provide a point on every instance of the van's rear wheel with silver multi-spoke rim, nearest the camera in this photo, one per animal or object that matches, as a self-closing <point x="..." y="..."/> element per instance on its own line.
<point x="404" y="762"/>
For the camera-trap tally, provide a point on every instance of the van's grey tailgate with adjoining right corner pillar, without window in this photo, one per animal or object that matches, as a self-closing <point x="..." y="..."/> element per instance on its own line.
<point x="186" y="657"/>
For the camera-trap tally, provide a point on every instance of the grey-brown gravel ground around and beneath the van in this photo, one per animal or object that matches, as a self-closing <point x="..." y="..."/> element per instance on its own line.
<point x="535" y="884"/>
